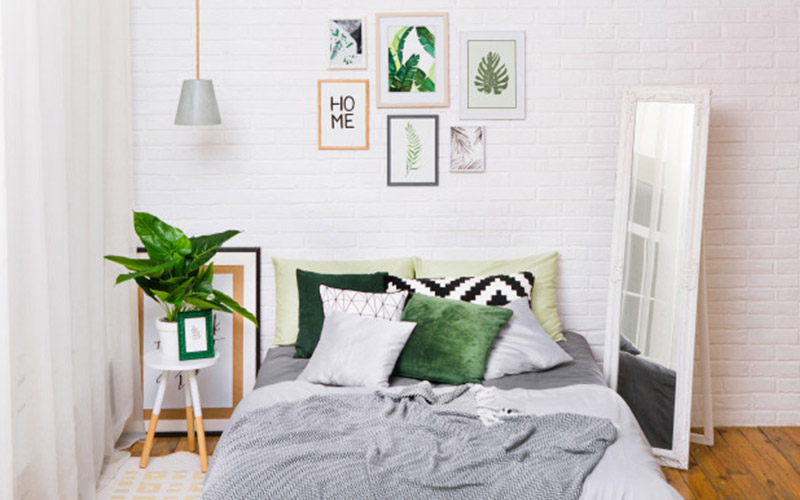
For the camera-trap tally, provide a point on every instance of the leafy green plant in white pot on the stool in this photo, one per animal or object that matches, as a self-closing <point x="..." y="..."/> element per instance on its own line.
<point x="175" y="274"/>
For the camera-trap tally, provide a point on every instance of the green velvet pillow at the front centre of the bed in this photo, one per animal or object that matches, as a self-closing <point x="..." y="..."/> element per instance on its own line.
<point x="451" y="341"/>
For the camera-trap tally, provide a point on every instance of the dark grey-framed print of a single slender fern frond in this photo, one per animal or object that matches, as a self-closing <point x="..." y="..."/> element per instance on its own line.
<point x="413" y="150"/>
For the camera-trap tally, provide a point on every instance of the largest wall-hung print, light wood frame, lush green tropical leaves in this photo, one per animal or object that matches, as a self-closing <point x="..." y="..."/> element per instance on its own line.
<point x="412" y="60"/>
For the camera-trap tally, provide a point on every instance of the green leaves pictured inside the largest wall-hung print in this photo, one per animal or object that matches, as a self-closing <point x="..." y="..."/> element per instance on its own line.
<point x="405" y="74"/>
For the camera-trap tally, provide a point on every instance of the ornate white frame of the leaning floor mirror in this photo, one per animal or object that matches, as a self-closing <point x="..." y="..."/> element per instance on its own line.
<point x="690" y="264"/>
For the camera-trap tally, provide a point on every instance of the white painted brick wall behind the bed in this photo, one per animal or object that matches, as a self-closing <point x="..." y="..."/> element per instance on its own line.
<point x="550" y="178"/>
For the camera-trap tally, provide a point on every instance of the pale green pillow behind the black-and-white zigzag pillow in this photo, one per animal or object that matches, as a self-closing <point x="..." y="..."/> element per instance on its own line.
<point x="544" y="268"/>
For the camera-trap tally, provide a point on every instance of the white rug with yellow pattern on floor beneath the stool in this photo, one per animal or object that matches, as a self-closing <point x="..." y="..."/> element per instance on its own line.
<point x="173" y="477"/>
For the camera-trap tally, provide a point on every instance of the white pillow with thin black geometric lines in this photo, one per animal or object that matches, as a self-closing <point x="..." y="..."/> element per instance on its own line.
<point x="377" y="305"/>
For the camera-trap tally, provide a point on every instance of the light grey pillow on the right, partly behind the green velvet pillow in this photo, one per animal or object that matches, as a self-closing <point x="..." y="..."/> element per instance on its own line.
<point x="522" y="345"/>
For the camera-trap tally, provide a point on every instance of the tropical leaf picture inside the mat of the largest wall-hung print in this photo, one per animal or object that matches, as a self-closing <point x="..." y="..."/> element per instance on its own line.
<point x="411" y="48"/>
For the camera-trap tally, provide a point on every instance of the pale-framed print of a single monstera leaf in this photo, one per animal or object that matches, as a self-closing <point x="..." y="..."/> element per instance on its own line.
<point x="492" y="75"/>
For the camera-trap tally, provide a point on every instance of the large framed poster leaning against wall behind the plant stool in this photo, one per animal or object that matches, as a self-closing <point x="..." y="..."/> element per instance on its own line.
<point x="222" y="386"/>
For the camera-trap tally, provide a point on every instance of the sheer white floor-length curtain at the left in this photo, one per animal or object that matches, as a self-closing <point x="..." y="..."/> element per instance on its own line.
<point x="68" y="348"/>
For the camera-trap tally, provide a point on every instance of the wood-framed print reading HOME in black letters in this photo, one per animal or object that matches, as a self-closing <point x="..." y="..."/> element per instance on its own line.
<point x="343" y="114"/>
